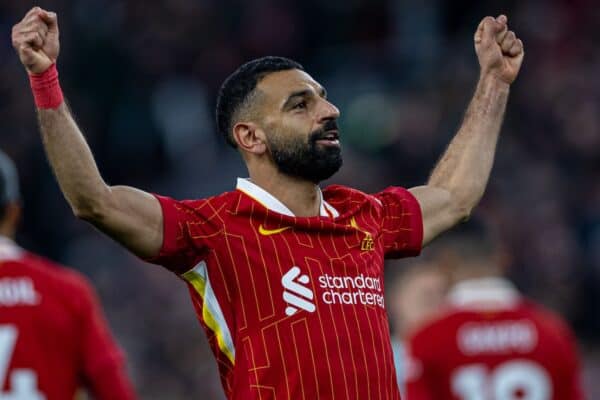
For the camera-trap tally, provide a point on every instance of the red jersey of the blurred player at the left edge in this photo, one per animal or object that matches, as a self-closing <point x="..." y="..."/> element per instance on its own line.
<point x="53" y="336"/>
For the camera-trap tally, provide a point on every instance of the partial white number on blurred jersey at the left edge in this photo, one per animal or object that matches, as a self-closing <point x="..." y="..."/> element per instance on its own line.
<point x="23" y="382"/>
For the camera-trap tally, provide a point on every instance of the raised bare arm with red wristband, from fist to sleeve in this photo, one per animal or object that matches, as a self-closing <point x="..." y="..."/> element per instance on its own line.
<point x="130" y="216"/>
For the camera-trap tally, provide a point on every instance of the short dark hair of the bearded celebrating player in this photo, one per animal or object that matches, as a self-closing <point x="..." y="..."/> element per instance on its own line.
<point x="238" y="87"/>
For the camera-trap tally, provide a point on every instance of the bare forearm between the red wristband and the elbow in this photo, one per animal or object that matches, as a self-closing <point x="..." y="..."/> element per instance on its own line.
<point x="71" y="160"/>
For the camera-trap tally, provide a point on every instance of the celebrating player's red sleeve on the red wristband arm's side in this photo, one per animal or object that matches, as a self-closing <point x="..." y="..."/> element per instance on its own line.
<point x="186" y="227"/>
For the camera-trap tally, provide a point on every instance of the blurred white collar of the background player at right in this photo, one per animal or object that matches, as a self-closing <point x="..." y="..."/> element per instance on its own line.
<point x="484" y="293"/>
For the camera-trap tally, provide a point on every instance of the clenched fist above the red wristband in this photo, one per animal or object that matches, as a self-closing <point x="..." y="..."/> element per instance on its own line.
<point x="35" y="39"/>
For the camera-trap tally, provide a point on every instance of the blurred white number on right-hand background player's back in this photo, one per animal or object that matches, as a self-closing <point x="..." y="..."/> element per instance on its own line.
<point x="523" y="380"/>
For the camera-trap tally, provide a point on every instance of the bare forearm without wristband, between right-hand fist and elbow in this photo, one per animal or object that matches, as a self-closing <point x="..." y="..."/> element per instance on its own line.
<point x="465" y="167"/>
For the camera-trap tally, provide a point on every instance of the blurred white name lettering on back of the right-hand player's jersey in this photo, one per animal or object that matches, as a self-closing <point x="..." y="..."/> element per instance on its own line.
<point x="497" y="337"/>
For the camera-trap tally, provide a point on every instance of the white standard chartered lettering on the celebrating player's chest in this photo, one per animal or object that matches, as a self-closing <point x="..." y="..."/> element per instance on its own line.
<point x="353" y="290"/>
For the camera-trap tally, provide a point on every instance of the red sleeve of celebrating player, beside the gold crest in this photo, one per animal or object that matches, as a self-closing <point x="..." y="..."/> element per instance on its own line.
<point x="402" y="223"/>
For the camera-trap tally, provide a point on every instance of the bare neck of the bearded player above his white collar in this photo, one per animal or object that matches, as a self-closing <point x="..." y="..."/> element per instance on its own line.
<point x="300" y="196"/>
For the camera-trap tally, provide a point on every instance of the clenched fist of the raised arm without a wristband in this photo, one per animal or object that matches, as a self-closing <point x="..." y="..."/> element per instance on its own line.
<point x="499" y="51"/>
